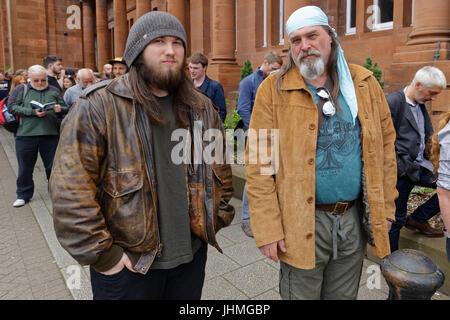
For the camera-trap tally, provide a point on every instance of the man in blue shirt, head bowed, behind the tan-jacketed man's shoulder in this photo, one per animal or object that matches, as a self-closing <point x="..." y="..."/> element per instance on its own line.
<point x="247" y="93"/>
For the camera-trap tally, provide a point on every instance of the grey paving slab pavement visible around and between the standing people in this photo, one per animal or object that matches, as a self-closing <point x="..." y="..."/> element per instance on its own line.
<point x="34" y="266"/>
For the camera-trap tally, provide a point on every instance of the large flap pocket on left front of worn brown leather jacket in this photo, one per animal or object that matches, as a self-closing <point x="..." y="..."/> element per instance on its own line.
<point x="122" y="206"/>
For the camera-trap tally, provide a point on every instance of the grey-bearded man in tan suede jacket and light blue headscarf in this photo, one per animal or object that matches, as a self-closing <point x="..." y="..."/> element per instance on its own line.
<point x="334" y="187"/>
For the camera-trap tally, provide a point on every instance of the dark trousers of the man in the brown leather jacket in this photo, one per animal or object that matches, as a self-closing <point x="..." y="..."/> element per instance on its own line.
<point x="184" y="282"/>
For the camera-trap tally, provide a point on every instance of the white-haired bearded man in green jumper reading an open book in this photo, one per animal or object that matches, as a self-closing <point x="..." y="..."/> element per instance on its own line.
<point x="38" y="130"/>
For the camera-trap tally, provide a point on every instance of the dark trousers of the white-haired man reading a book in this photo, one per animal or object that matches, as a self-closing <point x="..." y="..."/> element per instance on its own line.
<point x="27" y="149"/>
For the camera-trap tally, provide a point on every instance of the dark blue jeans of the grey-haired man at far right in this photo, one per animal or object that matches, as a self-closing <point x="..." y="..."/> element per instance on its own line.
<point x="422" y="213"/>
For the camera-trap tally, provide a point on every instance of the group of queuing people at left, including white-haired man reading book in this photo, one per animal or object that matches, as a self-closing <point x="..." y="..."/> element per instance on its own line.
<point x="38" y="132"/>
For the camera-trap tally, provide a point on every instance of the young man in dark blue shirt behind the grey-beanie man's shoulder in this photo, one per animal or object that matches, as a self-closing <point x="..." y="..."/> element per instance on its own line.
<point x="197" y="68"/>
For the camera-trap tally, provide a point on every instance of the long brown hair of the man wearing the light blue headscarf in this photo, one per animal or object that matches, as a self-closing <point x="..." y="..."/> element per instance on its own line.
<point x="331" y="66"/>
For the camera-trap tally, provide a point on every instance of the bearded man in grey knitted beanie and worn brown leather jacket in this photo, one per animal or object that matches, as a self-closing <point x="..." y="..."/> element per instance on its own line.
<point x="122" y="201"/>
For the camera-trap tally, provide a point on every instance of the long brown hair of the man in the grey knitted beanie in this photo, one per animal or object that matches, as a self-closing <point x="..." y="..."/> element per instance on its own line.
<point x="184" y="96"/>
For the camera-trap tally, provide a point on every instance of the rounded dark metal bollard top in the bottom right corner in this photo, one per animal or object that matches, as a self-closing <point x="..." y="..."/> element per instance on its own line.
<point x="411" y="275"/>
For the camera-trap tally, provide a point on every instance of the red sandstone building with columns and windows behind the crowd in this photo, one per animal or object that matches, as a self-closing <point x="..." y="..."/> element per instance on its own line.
<point x="401" y="35"/>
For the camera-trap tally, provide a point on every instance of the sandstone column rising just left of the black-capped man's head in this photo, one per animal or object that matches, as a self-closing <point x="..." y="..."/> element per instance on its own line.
<point x="103" y="41"/>
